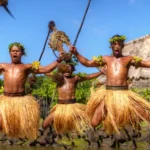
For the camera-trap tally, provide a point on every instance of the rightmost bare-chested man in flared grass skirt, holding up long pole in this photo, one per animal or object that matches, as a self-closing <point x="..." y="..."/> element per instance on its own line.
<point x="116" y="105"/>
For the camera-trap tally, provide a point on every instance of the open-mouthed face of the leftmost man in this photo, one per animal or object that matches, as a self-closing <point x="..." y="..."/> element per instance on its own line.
<point x="16" y="54"/>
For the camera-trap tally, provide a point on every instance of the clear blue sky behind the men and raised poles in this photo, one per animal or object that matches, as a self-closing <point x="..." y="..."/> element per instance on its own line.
<point x="104" y="19"/>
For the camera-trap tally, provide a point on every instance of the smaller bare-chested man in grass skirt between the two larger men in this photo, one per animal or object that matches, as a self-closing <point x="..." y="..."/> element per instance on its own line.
<point x="68" y="115"/>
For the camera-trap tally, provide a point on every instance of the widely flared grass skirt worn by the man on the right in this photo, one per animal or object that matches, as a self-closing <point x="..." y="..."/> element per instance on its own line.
<point x="119" y="108"/>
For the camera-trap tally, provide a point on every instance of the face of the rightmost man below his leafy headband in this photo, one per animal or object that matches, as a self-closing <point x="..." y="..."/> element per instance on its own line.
<point x="117" y="47"/>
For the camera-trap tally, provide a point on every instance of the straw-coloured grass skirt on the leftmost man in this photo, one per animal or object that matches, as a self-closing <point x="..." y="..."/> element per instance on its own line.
<point x="20" y="116"/>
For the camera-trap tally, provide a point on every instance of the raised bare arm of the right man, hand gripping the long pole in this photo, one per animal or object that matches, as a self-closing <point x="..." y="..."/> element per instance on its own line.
<point x="84" y="61"/>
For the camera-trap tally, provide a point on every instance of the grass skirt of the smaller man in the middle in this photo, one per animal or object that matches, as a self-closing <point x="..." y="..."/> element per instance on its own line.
<point x="70" y="117"/>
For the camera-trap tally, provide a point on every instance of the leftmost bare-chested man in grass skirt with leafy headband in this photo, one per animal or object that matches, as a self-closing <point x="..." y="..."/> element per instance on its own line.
<point x="19" y="113"/>
